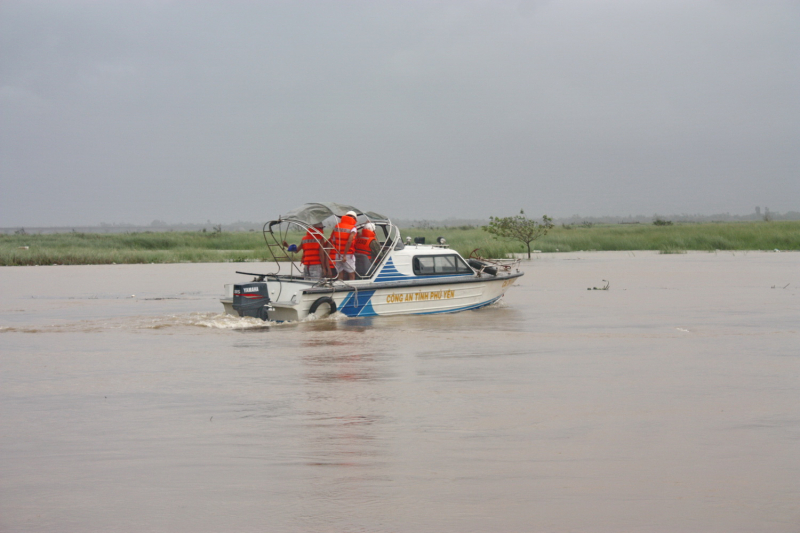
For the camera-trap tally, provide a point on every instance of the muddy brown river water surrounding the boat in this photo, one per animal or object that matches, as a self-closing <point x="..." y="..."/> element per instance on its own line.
<point x="669" y="402"/>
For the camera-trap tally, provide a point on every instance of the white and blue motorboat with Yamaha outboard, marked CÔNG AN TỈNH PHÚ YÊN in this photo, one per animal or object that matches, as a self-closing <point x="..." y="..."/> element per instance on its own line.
<point x="404" y="277"/>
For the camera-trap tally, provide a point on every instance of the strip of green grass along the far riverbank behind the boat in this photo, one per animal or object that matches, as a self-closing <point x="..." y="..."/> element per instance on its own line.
<point x="201" y="247"/>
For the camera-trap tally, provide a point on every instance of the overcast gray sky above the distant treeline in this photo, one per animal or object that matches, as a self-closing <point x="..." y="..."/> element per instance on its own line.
<point x="130" y="111"/>
